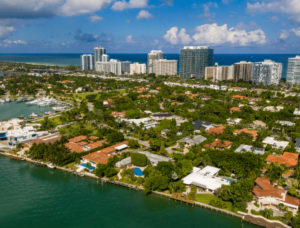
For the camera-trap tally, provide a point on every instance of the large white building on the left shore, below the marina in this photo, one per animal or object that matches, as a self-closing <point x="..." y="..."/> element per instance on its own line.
<point x="22" y="135"/>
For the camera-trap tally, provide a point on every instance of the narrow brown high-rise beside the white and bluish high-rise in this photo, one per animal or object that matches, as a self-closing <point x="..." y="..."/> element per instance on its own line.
<point x="243" y="71"/>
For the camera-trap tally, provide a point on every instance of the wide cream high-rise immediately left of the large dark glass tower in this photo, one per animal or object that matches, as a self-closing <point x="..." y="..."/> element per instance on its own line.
<point x="165" y="67"/>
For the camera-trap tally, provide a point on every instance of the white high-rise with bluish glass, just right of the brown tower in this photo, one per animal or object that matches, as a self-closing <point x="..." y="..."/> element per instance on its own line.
<point x="267" y="72"/>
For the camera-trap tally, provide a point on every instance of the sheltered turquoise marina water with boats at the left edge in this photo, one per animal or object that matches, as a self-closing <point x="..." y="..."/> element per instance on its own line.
<point x="14" y="109"/>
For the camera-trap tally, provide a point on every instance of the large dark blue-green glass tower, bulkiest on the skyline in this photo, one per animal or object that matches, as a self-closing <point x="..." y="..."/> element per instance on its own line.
<point x="193" y="61"/>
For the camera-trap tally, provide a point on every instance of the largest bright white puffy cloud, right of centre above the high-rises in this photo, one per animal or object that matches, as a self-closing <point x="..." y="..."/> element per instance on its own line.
<point x="212" y="34"/>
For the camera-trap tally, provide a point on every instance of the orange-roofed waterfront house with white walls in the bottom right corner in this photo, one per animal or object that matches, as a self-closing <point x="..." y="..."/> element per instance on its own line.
<point x="268" y="196"/>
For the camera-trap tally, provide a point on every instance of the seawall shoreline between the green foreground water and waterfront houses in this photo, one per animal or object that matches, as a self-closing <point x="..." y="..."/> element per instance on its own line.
<point x="243" y="216"/>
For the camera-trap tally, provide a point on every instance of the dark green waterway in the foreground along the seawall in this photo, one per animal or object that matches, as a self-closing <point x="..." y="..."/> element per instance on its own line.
<point x="32" y="196"/>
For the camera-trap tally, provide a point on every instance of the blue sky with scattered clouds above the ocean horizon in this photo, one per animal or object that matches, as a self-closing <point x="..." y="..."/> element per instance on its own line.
<point x="138" y="26"/>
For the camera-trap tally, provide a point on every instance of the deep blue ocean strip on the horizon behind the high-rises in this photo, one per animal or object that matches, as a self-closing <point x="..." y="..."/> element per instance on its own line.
<point x="74" y="59"/>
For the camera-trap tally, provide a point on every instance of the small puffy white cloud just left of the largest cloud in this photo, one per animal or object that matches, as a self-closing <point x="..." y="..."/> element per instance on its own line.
<point x="174" y="38"/>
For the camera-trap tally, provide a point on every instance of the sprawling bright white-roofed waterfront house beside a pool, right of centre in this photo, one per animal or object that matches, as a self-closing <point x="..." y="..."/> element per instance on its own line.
<point x="205" y="178"/>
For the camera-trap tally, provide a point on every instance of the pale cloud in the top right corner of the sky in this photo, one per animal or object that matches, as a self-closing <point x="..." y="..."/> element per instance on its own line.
<point x="289" y="7"/>
